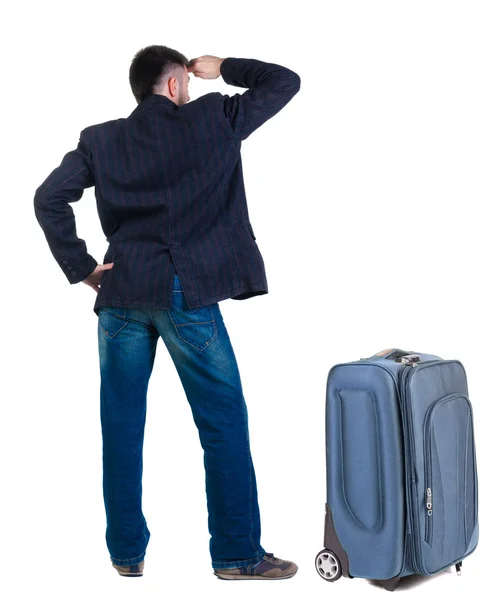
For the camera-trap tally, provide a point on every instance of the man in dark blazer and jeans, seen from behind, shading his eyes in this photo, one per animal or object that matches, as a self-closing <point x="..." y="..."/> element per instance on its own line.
<point x="170" y="196"/>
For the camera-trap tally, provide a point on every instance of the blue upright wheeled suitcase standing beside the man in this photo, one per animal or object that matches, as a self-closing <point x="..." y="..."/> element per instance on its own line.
<point x="402" y="491"/>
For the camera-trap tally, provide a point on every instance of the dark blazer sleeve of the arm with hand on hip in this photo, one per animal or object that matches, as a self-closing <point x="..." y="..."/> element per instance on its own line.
<point x="55" y="215"/>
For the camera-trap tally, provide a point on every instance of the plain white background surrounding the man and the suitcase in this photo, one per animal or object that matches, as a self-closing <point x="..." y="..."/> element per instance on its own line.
<point x="368" y="196"/>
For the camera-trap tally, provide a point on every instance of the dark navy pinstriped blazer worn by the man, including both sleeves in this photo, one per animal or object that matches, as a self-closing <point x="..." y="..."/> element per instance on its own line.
<point x="170" y="194"/>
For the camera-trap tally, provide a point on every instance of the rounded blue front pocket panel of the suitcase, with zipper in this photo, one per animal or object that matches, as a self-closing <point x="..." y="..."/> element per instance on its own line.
<point x="450" y="486"/>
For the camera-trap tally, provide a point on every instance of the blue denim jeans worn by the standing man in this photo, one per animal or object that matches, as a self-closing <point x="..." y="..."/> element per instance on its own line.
<point x="201" y="350"/>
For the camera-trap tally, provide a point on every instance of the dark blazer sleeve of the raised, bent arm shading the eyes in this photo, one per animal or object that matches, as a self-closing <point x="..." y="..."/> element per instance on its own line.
<point x="271" y="87"/>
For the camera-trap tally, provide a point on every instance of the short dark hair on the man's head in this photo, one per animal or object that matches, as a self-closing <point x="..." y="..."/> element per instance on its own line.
<point x="149" y="66"/>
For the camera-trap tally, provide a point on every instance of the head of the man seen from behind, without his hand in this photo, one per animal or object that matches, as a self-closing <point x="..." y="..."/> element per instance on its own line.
<point x="159" y="70"/>
